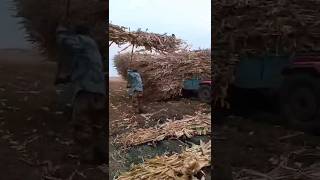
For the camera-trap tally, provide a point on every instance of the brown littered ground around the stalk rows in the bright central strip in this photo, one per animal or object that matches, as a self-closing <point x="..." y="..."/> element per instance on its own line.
<point x="123" y="119"/>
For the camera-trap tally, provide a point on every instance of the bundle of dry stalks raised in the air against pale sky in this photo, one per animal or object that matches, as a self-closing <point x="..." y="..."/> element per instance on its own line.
<point x="150" y="41"/>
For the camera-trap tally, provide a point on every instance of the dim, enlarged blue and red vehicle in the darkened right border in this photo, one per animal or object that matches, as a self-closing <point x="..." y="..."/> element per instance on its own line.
<point x="290" y="83"/>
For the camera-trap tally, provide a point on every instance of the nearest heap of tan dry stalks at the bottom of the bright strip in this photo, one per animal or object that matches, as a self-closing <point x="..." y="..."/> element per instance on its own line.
<point x="182" y="166"/>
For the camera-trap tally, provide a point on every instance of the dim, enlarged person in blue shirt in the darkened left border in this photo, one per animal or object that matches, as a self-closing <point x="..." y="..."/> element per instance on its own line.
<point x="81" y="64"/>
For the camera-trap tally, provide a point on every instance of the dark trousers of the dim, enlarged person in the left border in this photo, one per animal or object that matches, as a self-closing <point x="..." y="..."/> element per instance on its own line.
<point x="89" y="119"/>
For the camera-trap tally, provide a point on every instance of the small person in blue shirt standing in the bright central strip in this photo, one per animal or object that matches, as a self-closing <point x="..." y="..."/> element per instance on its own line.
<point x="136" y="89"/>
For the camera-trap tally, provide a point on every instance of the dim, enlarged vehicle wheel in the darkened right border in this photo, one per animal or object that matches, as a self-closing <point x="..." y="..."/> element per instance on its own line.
<point x="300" y="100"/>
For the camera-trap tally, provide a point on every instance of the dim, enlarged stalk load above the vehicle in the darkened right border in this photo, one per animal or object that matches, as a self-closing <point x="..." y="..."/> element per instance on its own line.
<point x="254" y="27"/>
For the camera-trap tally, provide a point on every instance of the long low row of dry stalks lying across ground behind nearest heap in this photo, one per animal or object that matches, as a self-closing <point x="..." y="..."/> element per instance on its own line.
<point x="189" y="127"/>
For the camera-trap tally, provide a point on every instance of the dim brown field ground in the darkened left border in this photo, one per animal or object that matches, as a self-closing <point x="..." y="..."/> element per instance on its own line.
<point x="35" y="141"/>
